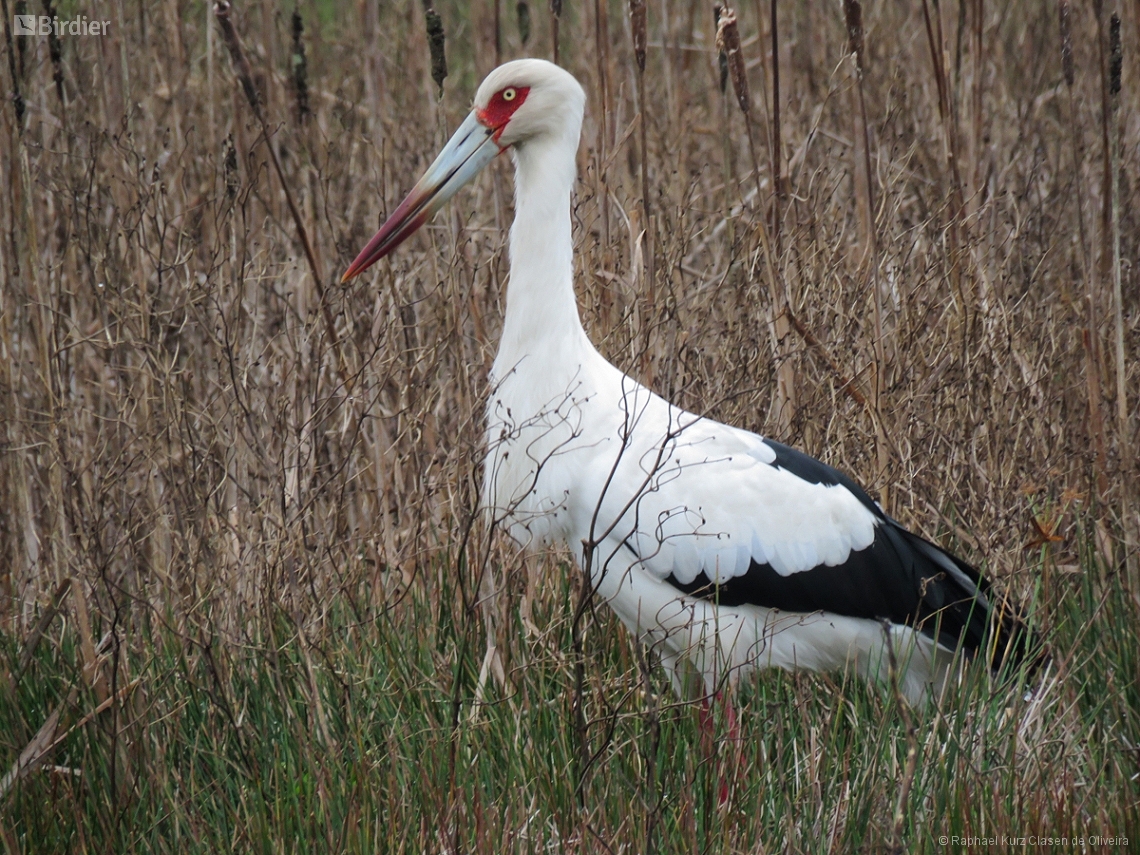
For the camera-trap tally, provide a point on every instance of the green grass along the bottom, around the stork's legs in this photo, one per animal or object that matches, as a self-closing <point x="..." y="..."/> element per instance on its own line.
<point x="219" y="750"/>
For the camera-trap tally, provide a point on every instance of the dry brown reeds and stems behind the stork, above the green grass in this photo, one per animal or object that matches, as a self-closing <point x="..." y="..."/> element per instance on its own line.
<point x="205" y="439"/>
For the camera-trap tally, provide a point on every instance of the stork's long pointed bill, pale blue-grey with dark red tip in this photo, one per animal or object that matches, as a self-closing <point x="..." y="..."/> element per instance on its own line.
<point x="471" y="149"/>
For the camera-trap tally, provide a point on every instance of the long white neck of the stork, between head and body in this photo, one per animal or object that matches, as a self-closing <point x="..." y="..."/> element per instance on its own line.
<point x="542" y="314"/>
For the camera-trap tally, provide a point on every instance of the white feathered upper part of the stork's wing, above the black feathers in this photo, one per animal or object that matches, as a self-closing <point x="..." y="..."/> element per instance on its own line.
<point x="713" y="500"/>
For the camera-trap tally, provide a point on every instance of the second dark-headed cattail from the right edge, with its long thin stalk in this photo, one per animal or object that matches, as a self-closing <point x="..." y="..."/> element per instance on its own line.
<point x="1092" y="336"/>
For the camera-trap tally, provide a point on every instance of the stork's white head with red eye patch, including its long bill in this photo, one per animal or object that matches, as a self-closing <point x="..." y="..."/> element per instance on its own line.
<point x="528" y="102"/>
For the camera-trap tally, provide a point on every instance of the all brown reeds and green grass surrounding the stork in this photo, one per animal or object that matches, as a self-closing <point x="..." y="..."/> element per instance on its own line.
<point x="247" y="600"/>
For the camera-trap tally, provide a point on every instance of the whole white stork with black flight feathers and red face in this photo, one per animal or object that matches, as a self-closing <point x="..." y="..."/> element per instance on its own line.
<point x="721" y="549"/>
